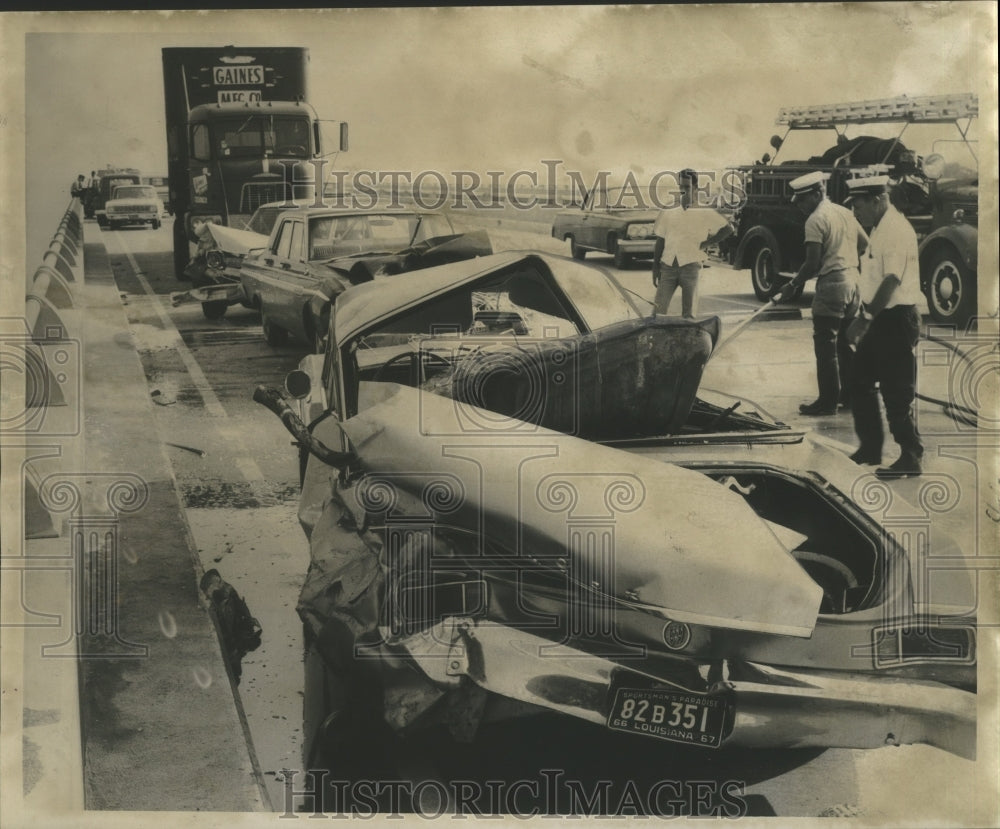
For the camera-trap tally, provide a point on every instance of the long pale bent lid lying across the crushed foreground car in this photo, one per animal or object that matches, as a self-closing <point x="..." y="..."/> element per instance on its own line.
<point x="648" y="533"/>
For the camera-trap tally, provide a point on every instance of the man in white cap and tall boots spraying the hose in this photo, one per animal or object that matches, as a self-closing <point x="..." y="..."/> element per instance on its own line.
<point x="834" y="241"/>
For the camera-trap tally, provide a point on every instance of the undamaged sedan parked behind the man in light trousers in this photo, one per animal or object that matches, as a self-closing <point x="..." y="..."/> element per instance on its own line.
<point x="609" y="221"/>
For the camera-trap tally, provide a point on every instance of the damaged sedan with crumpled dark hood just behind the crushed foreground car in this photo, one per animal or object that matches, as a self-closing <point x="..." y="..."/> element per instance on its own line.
<point x="313" y="254"/>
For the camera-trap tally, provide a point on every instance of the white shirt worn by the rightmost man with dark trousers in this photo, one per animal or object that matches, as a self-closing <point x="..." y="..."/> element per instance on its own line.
<point x="892" y="248"/>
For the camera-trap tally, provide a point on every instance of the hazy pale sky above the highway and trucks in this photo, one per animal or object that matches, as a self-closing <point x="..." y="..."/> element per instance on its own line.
<point x="633" y="88"/>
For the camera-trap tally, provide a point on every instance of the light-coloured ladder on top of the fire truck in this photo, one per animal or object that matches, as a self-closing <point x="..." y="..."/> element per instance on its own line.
<point x="927" y="109"/>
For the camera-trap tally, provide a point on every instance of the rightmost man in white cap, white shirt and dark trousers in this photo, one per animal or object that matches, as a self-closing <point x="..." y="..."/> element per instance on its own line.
<point x="887" y="330"/>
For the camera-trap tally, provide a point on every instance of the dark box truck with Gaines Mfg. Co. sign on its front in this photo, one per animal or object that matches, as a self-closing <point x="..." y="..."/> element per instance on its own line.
<point x="240" y="133"/>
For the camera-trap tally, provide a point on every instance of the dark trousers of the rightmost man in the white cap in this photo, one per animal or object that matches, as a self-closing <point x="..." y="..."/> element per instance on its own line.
<point x="885" y="358"/>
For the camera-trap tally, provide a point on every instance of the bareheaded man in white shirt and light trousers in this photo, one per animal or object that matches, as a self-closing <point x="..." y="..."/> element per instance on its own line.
<point x="682" y="234"/>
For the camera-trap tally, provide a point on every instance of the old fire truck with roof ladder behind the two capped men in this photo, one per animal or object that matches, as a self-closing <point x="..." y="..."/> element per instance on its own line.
<point x="938" y="193"/>
